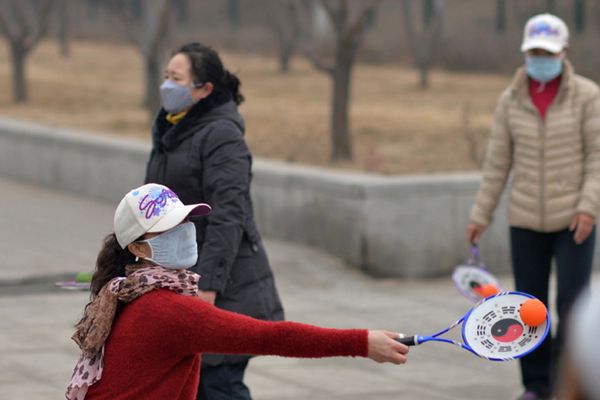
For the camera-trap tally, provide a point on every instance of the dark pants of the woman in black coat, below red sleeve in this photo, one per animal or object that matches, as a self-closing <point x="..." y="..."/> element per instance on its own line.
<point x="223" y="382"/>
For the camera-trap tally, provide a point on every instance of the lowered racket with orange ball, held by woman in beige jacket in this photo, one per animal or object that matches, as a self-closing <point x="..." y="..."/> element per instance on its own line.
<point x="473" y="280"/>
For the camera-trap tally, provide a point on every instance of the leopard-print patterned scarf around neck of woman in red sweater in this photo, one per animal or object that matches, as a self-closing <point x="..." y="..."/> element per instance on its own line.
<point x="93" y="330"/>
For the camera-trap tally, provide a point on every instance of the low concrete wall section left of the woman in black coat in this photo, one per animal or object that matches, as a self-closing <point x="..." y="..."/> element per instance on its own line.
<point x="87" y="164"/>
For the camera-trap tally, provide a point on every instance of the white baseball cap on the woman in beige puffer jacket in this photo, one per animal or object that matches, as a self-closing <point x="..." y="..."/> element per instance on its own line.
<point x="545" y="31"/>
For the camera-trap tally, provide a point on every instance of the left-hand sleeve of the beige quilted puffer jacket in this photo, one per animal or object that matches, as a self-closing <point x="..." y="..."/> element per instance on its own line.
<point x="496" y="167"/>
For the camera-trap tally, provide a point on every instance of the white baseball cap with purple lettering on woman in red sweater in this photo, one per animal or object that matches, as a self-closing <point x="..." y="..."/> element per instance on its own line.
<point x="151" y="208"/>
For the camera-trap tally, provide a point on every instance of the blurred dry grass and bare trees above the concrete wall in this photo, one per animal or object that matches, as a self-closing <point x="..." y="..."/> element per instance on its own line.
<point x="389" y="86"/>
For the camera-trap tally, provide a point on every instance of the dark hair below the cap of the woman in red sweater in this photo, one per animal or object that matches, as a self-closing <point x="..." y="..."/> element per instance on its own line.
<point x="110" y="263"/>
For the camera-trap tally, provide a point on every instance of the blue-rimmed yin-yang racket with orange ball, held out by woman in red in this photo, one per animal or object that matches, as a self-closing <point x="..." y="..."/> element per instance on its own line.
<point x="501" y="327"/>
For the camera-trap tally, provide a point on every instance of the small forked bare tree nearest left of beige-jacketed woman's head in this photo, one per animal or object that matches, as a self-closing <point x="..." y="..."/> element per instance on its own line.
<point x="423" y="44"/>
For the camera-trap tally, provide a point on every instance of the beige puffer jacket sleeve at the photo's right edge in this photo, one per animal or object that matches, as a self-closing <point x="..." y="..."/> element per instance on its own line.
<point x="589" y="201"/>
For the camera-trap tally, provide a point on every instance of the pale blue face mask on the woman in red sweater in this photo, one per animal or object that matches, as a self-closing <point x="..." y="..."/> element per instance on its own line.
<point x="175" y="248"/>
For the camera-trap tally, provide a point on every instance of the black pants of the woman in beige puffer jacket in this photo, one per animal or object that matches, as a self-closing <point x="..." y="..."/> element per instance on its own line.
<point x="532" y="254"/>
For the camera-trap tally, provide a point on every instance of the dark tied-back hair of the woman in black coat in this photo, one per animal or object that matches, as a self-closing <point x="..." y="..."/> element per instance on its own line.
<point x="208" y="67"/>
